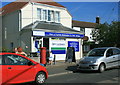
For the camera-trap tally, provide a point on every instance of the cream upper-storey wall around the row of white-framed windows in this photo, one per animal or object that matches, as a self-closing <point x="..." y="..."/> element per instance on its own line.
<point x="29" y="14"/>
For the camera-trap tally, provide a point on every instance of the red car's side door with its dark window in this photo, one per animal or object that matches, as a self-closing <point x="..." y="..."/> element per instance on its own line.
<point x="18" y="70"/>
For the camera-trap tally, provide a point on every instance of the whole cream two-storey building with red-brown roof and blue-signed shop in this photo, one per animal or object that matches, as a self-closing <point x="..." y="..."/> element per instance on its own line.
<point x="35" y="24"/>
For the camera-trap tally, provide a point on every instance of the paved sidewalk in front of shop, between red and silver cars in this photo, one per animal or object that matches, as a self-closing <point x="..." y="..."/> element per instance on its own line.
<point x="59" y="67"/>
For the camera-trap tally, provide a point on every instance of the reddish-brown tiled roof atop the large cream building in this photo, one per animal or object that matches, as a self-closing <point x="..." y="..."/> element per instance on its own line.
<point x="18" y="4"/>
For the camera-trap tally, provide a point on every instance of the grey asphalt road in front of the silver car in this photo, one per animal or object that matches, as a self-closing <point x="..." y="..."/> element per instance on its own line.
<point x="109" y="76"/>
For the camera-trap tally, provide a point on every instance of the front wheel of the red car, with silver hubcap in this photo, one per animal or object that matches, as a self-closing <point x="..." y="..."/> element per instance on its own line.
<point x="40" y="78"/>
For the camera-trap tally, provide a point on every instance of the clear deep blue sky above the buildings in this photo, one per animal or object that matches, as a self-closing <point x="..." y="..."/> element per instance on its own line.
<point x="87" y="10"/>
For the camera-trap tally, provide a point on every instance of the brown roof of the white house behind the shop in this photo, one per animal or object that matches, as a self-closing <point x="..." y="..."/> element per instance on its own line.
<point x="83" y="24"/>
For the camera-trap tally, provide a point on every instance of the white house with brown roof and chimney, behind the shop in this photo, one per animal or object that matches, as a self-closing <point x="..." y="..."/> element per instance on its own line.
<point x="87" y="28"/>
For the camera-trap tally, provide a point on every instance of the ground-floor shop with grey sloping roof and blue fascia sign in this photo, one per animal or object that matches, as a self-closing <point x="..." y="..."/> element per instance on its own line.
<point x="55" y="37"/>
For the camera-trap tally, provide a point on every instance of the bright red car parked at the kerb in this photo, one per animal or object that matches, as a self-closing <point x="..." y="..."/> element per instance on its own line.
<point x="16" y="68"/>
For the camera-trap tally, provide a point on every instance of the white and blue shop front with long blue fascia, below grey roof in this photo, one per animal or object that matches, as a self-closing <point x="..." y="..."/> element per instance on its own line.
<point x="57" y="42"/>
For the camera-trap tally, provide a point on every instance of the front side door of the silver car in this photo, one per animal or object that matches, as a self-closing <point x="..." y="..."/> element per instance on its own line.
<point x="110" y="58"/>
